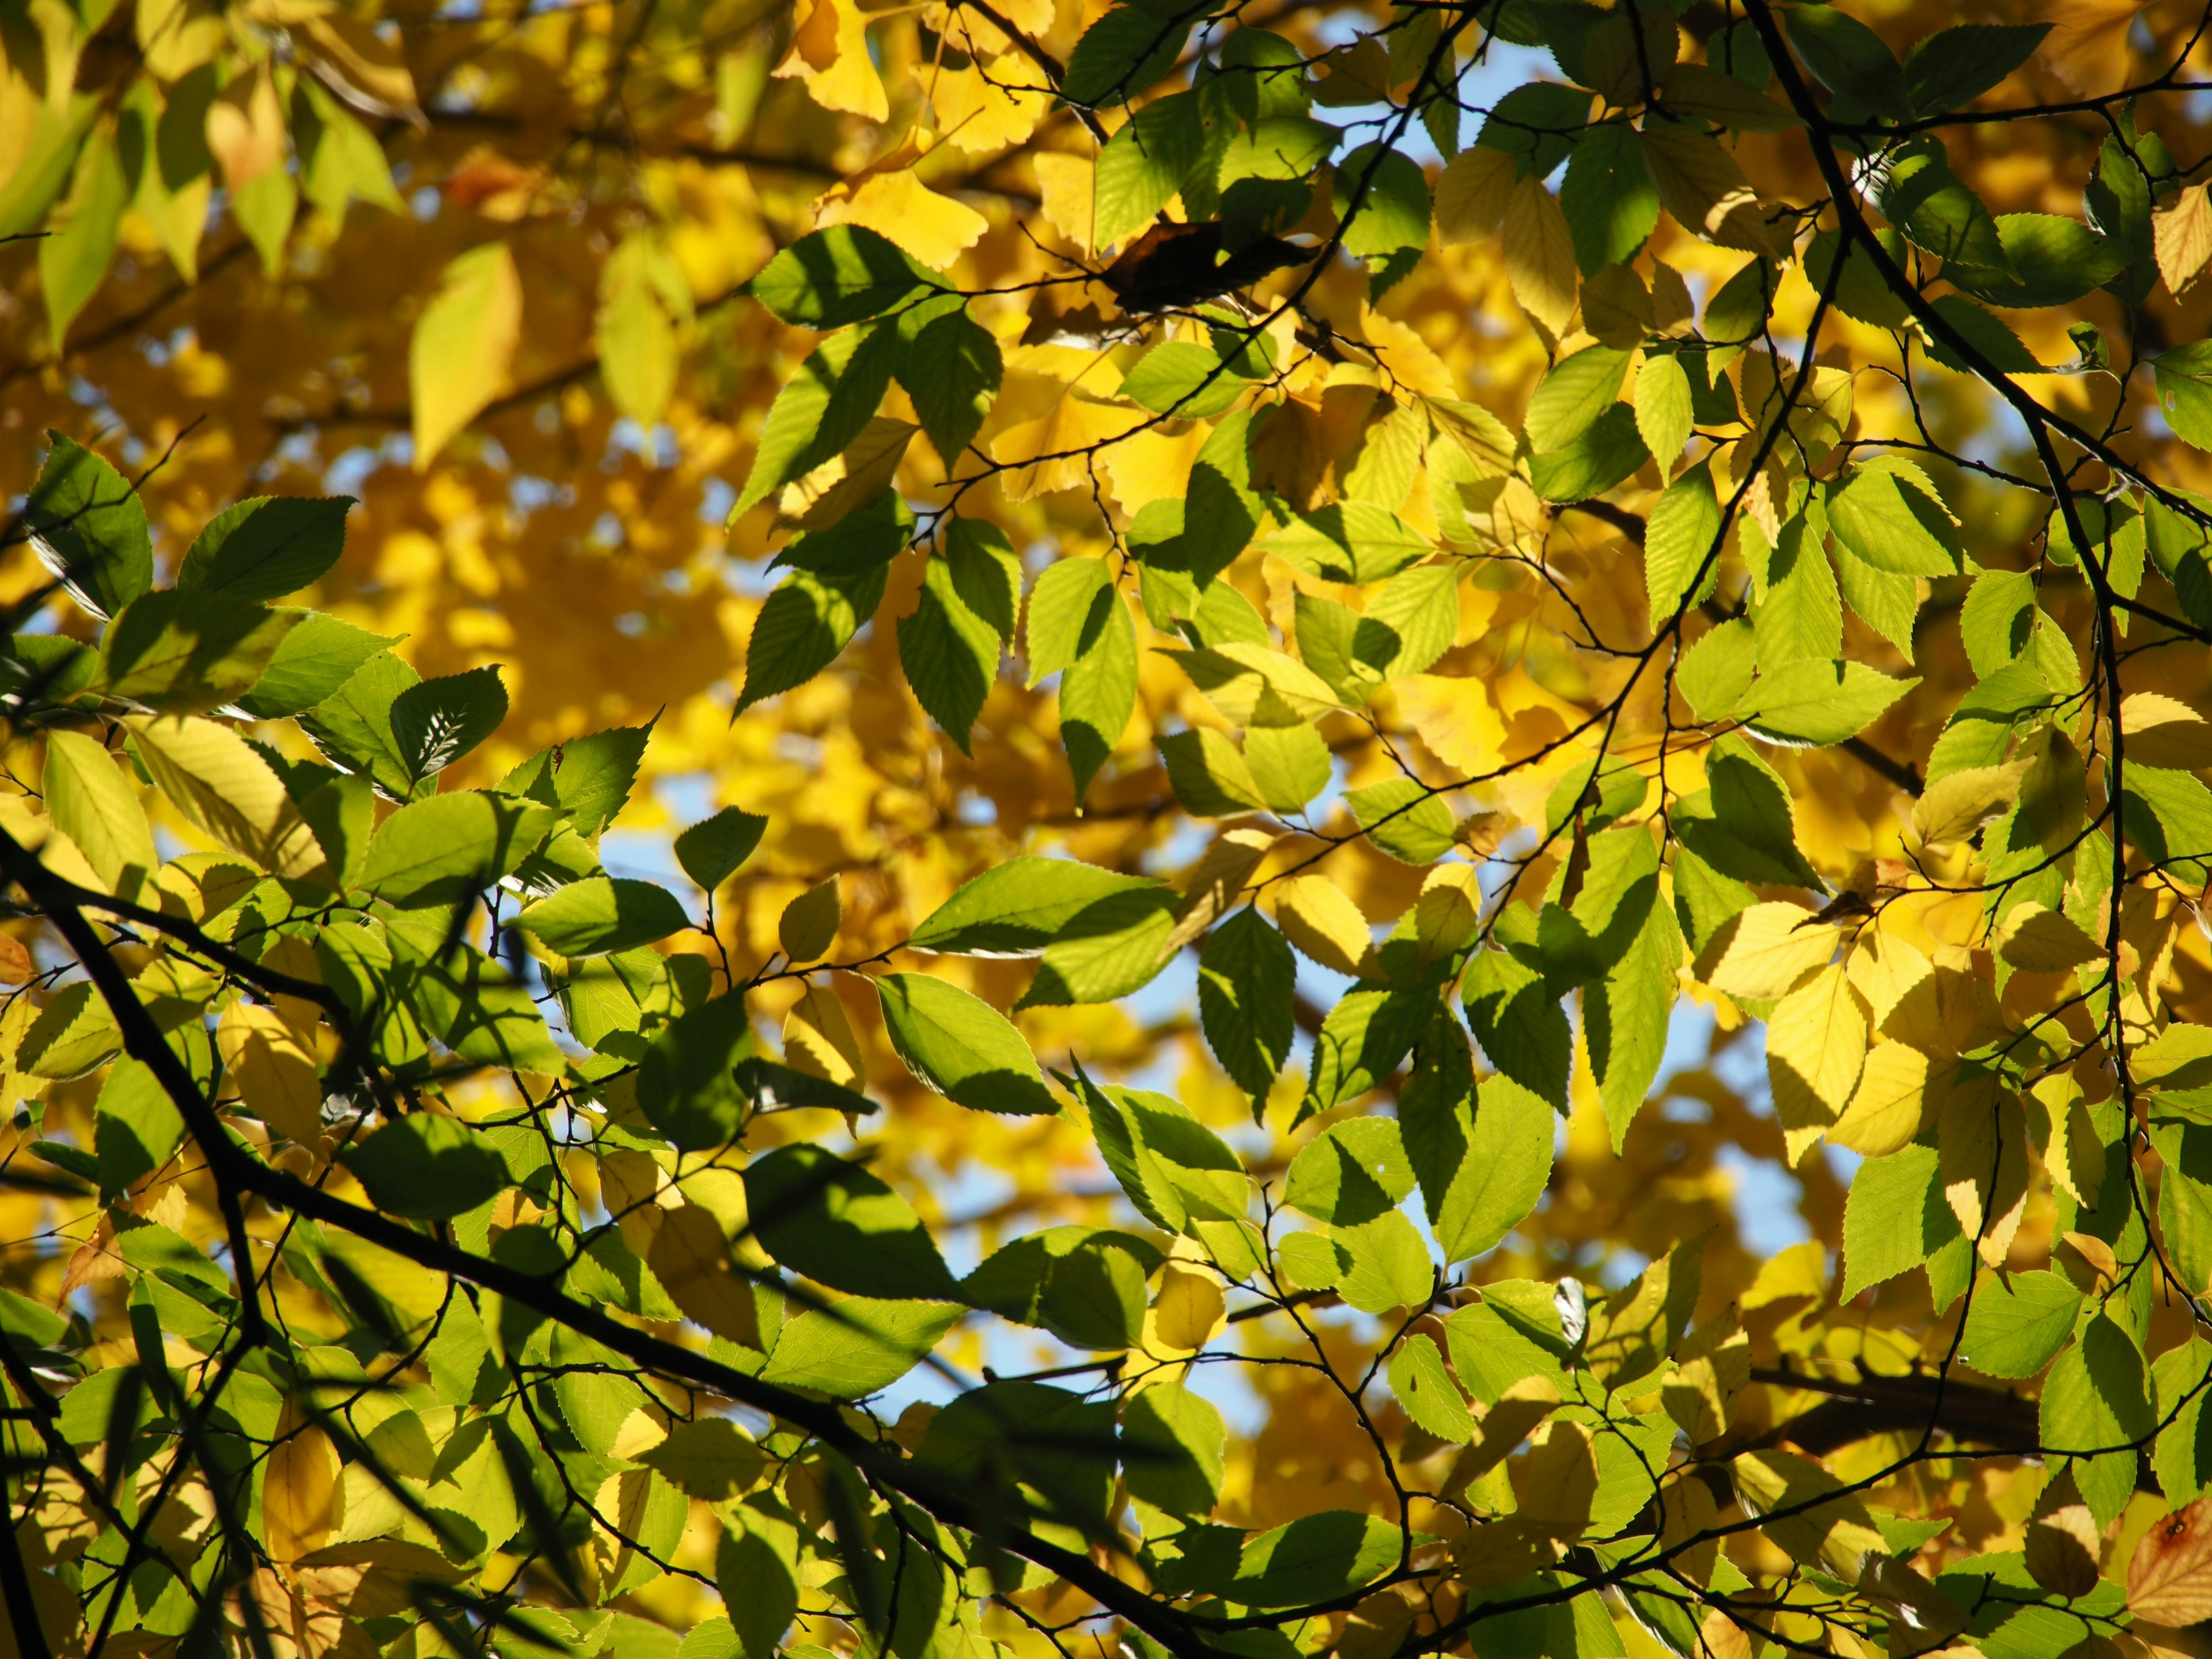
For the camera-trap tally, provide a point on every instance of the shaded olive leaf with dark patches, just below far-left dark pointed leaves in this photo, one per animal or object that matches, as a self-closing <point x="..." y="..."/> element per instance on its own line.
<point x="185" y="651"/>
